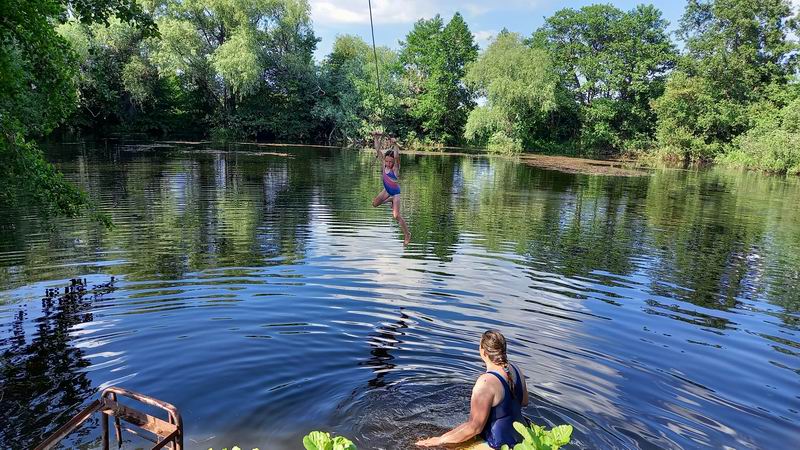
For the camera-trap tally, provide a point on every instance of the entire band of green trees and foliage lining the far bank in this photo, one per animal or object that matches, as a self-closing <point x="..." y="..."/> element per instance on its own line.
<point x="596" y="81"/>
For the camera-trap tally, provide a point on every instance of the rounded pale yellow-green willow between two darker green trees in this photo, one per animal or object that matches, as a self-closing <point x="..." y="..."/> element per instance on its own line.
<point x="519" y="84"/>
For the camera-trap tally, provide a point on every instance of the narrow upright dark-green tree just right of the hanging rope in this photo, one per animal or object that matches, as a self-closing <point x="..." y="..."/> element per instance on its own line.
<point x="435" y="58"/>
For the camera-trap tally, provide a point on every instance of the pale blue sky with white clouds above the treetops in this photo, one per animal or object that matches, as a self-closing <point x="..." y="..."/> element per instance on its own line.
<point x="394" y="18"/>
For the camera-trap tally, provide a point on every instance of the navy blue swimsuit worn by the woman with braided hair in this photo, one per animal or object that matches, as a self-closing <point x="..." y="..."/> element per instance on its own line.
<point x="499" y="429"/>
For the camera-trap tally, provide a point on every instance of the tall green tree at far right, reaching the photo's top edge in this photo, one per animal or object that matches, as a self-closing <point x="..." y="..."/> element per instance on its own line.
<point x="737" y="54"/>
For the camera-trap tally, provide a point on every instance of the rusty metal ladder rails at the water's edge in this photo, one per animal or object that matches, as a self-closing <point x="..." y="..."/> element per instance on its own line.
<point x="168" y="433"/>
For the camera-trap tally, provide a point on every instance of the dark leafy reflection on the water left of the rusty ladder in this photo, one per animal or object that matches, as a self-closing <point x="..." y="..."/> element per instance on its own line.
<point x="43" y="379"/>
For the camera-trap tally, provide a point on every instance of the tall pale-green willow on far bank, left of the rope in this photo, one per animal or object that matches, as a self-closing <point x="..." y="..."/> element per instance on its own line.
<point x="226" y="53"/>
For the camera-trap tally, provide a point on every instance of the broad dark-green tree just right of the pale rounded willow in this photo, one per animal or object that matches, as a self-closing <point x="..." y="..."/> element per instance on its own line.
<point x="613" y="64"/>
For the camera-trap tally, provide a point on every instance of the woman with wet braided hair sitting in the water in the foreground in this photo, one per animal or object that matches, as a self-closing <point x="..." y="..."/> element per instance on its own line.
<point x="497" y="400"/>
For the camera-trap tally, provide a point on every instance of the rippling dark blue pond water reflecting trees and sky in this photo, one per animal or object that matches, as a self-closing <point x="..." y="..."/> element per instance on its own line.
<point x="258" y="291"/>
